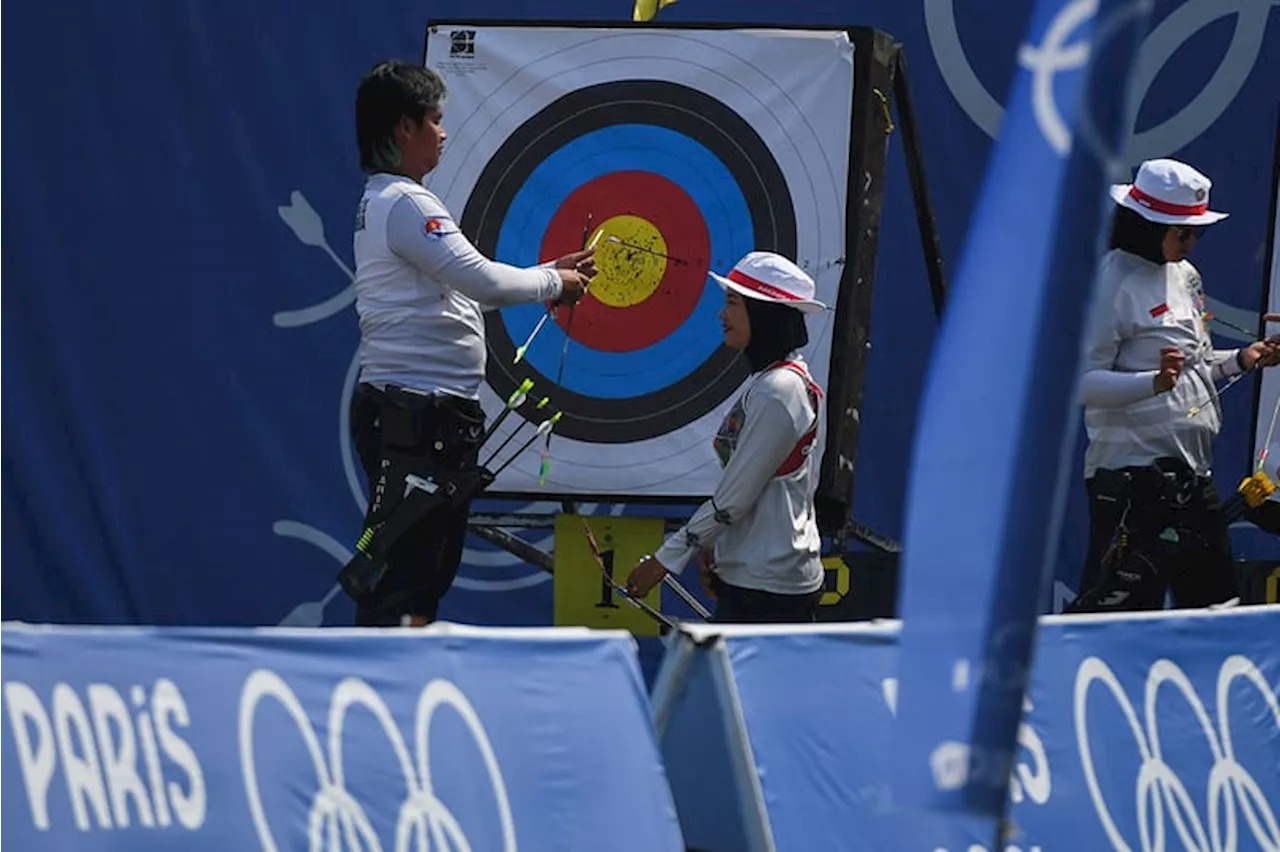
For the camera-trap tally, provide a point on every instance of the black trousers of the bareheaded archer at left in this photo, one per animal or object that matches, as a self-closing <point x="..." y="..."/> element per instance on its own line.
<point x="438" y="434"/>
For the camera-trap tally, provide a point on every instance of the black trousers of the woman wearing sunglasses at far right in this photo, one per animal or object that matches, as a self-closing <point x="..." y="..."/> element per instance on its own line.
<point x="1180" y="544"/>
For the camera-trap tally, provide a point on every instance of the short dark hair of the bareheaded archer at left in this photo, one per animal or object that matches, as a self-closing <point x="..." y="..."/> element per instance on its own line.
<point x="390" y="91"/>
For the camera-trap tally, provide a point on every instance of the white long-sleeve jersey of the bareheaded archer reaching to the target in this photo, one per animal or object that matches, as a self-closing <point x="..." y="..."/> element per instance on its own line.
<point x="422" y="290"/>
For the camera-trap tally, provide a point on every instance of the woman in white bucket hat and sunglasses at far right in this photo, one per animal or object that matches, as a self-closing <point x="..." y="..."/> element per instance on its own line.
<point x="1151" y="406"/>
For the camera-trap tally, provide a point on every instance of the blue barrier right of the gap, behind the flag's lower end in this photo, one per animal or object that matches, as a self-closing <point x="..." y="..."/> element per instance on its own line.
<point x="1142" y="734"/>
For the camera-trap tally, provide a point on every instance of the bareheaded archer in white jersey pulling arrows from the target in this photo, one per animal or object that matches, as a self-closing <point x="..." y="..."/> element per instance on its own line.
<point x="422" y="290"/>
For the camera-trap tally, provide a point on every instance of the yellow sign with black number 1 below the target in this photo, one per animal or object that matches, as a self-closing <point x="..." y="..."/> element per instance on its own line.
<point x="583" y="597"/>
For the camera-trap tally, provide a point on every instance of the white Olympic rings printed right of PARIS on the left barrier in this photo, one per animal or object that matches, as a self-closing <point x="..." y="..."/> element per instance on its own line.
<point x="335" y="808"/>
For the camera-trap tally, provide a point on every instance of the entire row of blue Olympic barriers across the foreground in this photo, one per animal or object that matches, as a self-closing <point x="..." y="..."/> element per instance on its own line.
<point x="1148" y="732"/>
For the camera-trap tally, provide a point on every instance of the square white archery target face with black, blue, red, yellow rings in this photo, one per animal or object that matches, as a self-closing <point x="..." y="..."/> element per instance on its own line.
<point x="678" y="152"/>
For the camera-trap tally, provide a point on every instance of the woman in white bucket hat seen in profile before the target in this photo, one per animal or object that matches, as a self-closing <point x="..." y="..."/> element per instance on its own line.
<point x="757" y="539"/>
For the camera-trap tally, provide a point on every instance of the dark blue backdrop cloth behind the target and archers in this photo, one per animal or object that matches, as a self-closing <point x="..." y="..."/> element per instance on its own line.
<point x="177" y="189"/>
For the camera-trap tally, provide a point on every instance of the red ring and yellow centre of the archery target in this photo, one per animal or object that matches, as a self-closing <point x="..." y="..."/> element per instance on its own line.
<point x="639" y="297"/>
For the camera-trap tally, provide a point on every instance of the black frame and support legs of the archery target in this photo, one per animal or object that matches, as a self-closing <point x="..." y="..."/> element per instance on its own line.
<point x="880" y="76"/>
